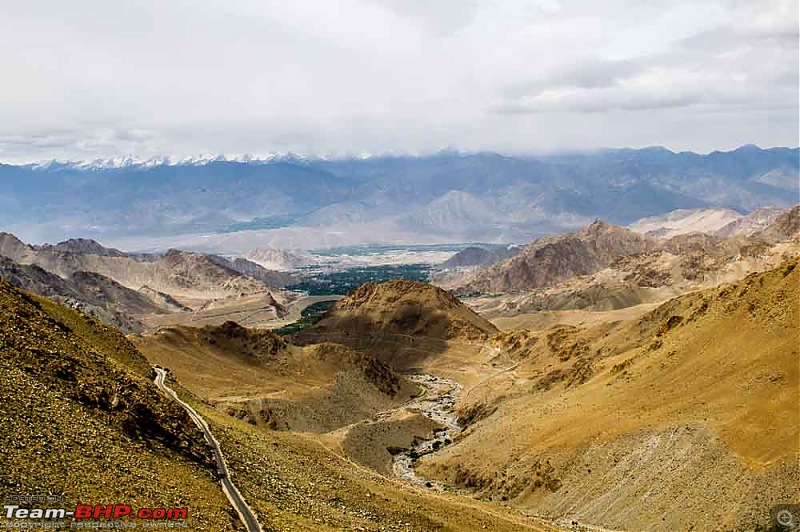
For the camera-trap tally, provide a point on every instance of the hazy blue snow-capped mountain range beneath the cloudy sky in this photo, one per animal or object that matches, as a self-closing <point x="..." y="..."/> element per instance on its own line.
<point x="219" y="205"/>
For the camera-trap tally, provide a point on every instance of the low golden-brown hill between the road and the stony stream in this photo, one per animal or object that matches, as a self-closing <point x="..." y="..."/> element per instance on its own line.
<point x="258" y="376"/>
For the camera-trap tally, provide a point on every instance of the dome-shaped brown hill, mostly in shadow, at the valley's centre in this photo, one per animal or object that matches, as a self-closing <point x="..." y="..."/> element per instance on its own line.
<point x="401" y="322"/>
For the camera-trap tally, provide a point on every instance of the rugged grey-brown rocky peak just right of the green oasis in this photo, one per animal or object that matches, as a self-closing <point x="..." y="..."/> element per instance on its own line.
<point x="550" y="260"/>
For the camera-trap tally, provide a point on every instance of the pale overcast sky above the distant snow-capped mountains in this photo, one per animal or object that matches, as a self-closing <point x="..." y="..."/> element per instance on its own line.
<point x="83" y="79"/>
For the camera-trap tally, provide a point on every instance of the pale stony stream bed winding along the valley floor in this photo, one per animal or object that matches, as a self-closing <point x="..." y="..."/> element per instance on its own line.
<point x="436" y="403"/>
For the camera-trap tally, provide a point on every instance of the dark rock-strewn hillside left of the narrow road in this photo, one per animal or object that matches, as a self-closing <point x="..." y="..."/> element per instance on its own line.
<point x="77" y="393"/>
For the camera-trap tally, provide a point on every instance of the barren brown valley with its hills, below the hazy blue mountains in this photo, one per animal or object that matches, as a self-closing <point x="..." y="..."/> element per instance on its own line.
<point x="536" y="387"/>
